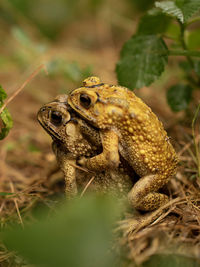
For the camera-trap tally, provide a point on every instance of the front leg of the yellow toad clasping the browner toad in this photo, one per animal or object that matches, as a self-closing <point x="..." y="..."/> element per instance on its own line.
<point x="109" y="158"/>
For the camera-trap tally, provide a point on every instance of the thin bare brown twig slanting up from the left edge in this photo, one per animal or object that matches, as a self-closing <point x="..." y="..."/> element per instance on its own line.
<point x="8" y="100"/>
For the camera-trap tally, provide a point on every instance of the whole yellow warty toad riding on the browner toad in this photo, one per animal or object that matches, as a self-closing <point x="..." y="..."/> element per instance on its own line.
<point x="127" y="125"/>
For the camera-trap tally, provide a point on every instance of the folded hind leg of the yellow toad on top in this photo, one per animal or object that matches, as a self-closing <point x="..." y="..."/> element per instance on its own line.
<point x="143" y="195"/>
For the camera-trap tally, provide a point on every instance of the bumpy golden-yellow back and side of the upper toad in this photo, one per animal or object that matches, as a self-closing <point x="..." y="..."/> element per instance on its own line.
<point x="142" y="138"/>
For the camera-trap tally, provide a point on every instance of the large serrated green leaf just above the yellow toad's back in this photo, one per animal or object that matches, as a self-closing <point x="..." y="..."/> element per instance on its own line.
<point x="142" y="61"/>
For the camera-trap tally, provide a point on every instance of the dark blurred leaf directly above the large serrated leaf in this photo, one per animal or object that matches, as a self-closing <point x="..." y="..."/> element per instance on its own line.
<point x="153" y="24"/>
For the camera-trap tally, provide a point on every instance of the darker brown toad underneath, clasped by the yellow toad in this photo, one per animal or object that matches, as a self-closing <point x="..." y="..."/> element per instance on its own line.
<point x="73" y="138"/>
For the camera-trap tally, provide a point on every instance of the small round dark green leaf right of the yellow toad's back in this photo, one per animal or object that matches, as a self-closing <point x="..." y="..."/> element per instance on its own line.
<point x="179" y="96"/>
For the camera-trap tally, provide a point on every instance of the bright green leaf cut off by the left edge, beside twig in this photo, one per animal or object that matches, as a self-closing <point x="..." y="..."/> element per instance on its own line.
<point x="5" y="116"/>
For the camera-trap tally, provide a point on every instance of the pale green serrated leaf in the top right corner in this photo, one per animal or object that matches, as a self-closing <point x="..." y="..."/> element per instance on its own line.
<point x="180" y="9"/>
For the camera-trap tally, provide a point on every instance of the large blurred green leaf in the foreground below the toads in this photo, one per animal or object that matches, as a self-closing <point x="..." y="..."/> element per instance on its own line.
<point x="78" y="234"/>
